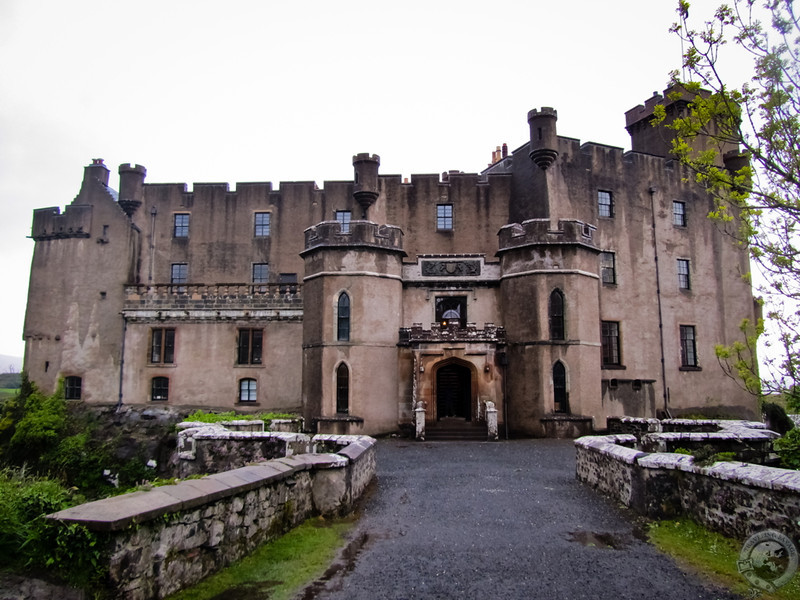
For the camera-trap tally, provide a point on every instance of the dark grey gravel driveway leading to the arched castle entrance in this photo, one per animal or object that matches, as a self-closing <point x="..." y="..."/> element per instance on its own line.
<point x="497" y="520"/>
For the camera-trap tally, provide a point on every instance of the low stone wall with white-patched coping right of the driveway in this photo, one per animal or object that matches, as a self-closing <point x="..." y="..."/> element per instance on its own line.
<point x="734" y="498"/>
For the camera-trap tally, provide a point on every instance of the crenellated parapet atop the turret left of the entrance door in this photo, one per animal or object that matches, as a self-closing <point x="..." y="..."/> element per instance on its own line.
<point x="329" y="234"/>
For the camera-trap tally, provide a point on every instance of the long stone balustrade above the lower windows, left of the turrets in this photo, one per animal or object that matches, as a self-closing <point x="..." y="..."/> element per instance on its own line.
<point x="218" y="296"/>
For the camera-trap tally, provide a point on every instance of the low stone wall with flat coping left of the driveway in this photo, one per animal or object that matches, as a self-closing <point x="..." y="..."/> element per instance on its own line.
<point x="165" y="539"/>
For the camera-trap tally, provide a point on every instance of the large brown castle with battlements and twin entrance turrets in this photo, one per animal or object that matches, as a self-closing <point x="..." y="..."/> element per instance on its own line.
<point x="565" y="283"/>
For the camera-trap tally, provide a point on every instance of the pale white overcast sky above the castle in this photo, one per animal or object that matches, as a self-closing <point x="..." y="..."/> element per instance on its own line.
<point x="250" y="90"/>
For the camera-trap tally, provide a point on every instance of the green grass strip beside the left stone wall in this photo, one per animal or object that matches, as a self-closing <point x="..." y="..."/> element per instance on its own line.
<point x="279" y="569"/>
